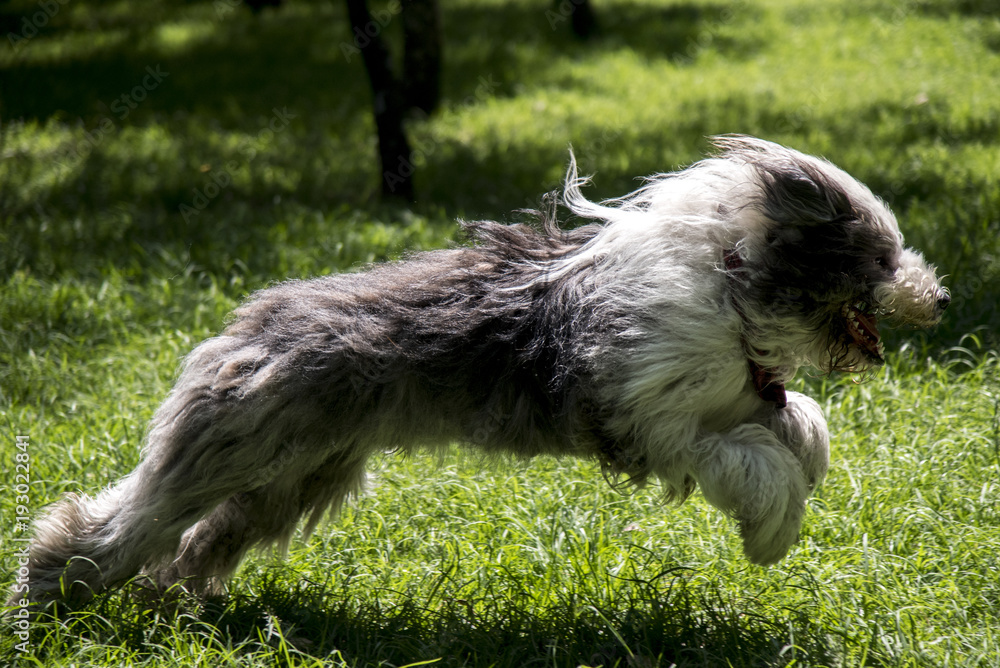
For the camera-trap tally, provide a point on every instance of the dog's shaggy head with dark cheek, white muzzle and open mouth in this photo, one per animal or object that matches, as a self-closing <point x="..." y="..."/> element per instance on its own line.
<point x="822" y="261"/>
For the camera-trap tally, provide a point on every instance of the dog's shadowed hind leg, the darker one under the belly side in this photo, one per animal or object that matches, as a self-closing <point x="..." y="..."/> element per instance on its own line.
<point x="212" y="549"/>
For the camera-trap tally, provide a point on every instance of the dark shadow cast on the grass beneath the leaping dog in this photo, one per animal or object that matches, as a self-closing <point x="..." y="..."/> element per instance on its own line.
<point x="661" y="624"/>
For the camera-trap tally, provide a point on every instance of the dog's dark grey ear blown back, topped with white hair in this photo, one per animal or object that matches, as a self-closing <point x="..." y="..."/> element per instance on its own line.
<point x="794" y="189"/>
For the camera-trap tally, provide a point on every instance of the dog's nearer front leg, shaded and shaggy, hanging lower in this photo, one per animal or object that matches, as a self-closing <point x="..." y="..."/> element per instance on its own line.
<point x="753" y="477"/>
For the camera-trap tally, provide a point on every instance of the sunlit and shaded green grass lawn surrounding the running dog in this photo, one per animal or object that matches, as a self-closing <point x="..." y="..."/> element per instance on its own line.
<point x="106" y="284"/>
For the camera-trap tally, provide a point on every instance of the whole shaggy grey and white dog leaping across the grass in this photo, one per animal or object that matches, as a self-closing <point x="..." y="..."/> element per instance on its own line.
<point x="656" y="341"/>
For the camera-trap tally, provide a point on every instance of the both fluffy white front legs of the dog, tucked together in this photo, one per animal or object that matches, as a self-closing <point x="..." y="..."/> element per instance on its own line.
<point x="761" y="474"/>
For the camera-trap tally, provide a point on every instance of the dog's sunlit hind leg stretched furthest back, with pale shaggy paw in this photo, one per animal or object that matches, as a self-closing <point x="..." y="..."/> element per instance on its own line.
<point x="200" y="452"/>
